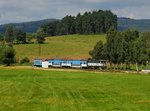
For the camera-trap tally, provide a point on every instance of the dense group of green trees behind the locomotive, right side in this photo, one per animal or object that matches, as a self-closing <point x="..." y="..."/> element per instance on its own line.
<point x="127" y="47"/>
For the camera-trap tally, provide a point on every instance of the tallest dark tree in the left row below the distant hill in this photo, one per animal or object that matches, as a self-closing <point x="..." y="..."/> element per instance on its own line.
<point x="9" y="34"/>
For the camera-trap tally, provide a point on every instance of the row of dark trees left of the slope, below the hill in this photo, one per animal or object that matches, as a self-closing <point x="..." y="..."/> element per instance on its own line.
<point x="14" y="35"/>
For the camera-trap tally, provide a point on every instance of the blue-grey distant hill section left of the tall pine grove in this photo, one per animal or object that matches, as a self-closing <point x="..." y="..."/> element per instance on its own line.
<point x="27" y="26"/>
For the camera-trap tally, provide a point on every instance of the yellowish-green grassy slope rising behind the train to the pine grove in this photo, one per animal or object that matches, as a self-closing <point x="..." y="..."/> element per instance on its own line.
<point x="70" y="46"/>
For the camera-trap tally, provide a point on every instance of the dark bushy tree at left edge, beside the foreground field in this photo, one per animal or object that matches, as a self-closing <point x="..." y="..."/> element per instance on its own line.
<point x="8" y="55"/>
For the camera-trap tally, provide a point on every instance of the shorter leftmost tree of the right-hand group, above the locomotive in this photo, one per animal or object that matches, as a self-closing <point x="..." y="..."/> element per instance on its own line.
<point x="97" y="52"/>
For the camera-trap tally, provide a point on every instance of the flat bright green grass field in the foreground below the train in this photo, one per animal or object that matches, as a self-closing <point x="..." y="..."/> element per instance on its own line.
<point x="41" y="90"/>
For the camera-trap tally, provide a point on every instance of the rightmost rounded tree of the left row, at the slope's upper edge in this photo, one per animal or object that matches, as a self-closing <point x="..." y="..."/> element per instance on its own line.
<point x="40" y="35"/>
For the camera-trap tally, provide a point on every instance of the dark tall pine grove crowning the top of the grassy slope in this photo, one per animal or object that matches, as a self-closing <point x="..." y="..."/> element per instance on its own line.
<point x="88" y="23"/>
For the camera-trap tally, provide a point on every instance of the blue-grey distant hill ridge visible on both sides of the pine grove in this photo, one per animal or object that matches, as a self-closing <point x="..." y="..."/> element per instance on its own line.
<point x="123" y="24"/>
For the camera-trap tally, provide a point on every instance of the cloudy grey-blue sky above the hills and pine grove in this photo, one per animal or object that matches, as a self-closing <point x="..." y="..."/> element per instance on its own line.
<point x="15" y="11"/>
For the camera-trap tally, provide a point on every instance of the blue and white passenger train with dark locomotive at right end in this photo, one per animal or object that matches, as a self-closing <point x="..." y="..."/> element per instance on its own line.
<point x="65" y="63"/>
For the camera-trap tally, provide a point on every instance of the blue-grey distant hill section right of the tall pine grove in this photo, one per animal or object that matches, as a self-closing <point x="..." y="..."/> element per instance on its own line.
<point x="139" y="24"/>
